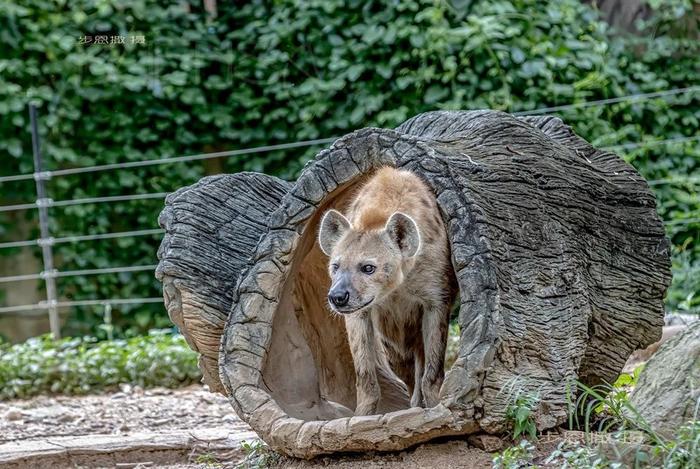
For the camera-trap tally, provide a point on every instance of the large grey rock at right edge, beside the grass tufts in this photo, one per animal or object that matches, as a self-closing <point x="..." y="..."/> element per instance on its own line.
<point x="668" y="389"/>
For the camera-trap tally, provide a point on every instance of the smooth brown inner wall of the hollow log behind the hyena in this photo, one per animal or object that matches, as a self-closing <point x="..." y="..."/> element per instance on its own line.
<point x="309" y="338"/>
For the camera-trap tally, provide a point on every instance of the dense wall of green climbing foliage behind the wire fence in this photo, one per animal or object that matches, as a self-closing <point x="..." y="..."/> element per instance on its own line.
<point x="265" y="72"/>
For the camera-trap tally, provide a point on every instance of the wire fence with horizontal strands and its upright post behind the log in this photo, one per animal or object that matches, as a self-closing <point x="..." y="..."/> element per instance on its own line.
<point x="43" y="203"/>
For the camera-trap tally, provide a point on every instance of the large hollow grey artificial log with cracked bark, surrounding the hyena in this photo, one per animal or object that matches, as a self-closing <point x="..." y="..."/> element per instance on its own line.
<point x="561" y="260"/>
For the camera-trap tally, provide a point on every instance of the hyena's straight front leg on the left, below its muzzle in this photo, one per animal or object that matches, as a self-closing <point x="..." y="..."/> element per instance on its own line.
<point x="362" y="347"/>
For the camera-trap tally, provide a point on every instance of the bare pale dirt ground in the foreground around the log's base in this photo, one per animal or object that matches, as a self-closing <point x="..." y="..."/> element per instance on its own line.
<point x="161" y="411"/>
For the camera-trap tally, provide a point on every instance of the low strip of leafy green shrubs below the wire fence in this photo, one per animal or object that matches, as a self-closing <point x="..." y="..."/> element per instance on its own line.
<point x="83" y="365"/>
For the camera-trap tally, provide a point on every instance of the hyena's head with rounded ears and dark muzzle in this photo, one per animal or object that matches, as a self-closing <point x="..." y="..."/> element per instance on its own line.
<point x="366" y="265"/>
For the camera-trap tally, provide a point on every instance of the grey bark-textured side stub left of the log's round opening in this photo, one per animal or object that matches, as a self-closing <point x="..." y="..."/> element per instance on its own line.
<point x="211" y="229"/>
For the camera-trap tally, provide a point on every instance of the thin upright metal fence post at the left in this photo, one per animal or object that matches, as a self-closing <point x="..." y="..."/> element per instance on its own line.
<point x="46" y="240"/>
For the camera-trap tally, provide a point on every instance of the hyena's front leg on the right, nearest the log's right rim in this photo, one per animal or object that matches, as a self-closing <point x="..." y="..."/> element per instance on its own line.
<point x="435" y="324"/>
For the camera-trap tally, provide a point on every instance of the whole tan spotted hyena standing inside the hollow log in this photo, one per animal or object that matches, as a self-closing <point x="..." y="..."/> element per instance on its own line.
<point x="391" y="279"/>
